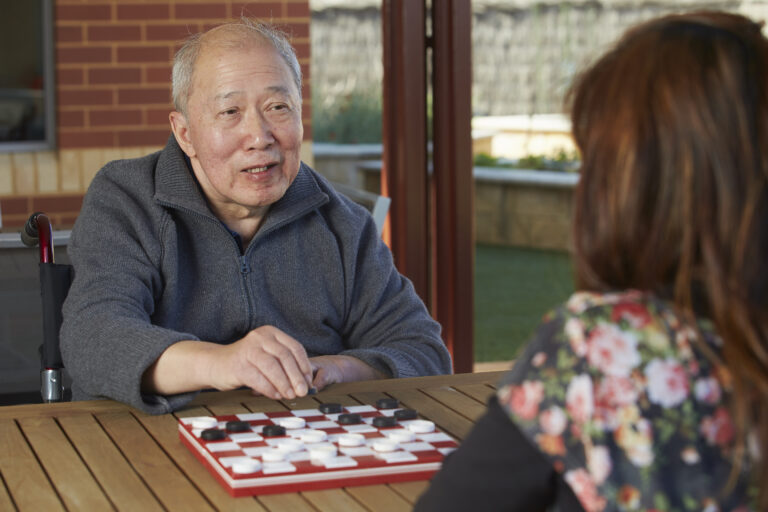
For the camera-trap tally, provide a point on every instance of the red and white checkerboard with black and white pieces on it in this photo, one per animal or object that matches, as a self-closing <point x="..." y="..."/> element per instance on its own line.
<point x="328" y="447"/>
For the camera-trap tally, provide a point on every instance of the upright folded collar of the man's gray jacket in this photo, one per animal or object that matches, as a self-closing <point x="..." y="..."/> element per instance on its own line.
<point x="176" y="187"/>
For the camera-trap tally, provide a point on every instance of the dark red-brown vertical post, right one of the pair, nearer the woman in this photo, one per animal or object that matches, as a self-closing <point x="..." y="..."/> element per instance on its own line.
<point x="453" y="180"/>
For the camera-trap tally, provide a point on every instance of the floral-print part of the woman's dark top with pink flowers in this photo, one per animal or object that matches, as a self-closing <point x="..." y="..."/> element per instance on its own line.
<point x="616" y="394"/>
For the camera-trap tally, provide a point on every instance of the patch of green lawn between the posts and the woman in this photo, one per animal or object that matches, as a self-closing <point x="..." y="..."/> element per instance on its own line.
<point x="514" y="287"/>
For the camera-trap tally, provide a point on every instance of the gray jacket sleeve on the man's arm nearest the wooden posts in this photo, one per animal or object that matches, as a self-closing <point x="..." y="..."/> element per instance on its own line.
<point x="387" y="324"/>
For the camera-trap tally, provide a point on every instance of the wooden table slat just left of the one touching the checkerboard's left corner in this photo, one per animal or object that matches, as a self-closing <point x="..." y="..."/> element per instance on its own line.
<point x="170" y="486"/>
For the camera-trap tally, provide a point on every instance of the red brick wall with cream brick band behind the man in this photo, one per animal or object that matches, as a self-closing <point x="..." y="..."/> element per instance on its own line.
<point x="113" y="67"/>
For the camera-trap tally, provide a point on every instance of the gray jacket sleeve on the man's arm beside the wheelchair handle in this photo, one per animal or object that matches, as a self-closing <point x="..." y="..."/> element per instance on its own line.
<point x="107" y="338"/>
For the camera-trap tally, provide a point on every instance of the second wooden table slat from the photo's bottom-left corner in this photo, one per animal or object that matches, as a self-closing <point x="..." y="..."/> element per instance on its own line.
<point x="27" y="484"/>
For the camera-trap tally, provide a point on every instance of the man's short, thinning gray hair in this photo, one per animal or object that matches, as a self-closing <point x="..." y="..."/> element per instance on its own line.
<point x="241" y="31"/>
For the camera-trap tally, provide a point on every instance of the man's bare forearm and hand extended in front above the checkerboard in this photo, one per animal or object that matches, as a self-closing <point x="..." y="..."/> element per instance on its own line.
<point x="267" y="360"/>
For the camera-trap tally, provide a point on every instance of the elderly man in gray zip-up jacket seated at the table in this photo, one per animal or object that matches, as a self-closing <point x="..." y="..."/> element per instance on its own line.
<point x="222" y="261"/>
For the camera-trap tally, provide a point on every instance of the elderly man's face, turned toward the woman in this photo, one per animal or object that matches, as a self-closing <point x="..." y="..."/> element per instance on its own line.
<point x="243" y="128"/>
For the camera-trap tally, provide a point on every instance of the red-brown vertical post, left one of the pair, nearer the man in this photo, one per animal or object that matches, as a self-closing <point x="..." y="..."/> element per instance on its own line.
<point x="404" y="176"/>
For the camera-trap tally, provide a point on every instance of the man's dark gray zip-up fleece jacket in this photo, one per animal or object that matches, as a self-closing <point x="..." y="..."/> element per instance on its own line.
<point x="154" y="266"/>
